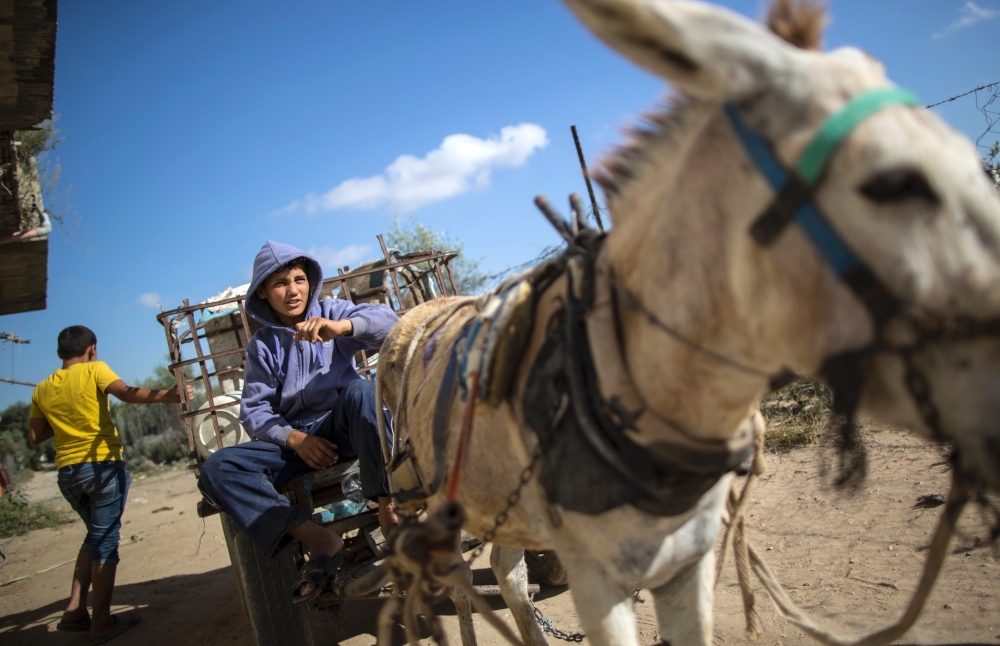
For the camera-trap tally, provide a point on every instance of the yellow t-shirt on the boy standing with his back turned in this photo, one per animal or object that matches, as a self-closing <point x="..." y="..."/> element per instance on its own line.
<point x="75" y="404"/>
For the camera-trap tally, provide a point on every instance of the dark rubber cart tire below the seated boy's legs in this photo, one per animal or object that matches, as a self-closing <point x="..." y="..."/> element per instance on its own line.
<point x="265" y="586"/>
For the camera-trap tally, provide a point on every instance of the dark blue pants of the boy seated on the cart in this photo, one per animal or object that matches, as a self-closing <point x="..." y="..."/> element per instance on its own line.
<point x="241" y="479"/>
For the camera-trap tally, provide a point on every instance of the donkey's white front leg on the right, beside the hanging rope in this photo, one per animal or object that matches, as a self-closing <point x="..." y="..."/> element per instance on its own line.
<point x="684" y="605"/>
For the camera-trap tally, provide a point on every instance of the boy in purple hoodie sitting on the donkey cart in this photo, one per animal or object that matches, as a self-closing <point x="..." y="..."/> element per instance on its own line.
<point x="305" y="402"/>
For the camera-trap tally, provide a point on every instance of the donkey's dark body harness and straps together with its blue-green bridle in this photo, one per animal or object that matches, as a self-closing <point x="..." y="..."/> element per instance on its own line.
<point x="579" y="398"/>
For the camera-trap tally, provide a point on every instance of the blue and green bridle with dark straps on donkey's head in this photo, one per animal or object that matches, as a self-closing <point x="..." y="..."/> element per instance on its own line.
<point x="899" y="328"/>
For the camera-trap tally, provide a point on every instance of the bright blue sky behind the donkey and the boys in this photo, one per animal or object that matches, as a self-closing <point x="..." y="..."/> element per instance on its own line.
<point x="194" y="131"/>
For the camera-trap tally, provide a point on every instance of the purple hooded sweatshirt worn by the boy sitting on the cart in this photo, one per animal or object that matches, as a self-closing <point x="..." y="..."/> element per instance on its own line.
<point x="289" y="384"/>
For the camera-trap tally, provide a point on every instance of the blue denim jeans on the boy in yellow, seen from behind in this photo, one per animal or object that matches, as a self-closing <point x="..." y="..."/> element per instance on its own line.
<point x="97" y="491"/>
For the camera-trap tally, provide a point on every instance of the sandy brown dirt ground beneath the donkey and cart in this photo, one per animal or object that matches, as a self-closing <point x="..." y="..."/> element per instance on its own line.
<point x="850" y="559"/>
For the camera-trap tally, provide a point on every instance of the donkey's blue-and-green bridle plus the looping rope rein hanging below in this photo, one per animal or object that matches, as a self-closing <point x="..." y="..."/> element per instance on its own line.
<point x="899" y="329"/>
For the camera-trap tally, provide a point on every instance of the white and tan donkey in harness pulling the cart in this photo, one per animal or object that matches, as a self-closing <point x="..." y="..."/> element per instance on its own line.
<point x="695" y="301"/>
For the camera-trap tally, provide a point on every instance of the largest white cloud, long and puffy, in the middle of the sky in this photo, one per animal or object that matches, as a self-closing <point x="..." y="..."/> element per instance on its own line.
<point x="460" y="164"/>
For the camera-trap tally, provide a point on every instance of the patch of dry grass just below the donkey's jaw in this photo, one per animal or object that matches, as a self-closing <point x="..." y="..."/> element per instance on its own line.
<point x="797" y="414"/>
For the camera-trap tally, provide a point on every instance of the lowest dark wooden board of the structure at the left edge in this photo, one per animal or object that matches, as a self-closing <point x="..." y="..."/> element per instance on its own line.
<point x="23" y="276"/>
